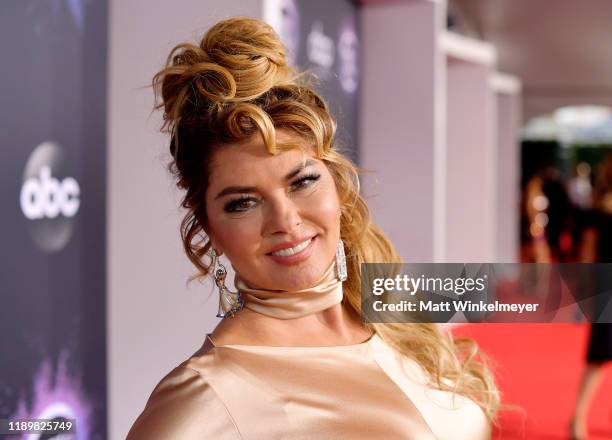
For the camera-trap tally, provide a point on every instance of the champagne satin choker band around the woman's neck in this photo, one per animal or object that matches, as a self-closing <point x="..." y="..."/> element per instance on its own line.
<point x="283" y="304"/>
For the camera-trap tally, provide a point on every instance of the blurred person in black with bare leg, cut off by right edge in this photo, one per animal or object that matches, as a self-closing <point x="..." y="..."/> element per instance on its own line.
<point x="596" y="247"/>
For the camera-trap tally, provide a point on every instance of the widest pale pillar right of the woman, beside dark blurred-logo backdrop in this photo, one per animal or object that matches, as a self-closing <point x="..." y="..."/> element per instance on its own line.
<point x="400" y="131"/>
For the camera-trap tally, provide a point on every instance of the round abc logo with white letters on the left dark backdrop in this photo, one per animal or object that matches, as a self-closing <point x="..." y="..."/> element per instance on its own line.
<point x="49" y="199"/>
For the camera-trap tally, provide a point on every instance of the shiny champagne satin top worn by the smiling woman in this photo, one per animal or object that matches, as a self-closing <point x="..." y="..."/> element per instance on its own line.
<point x="361" y="391"/>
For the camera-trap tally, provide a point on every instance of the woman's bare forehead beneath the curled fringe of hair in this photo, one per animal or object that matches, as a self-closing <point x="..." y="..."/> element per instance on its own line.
<point x="246" y="162"/>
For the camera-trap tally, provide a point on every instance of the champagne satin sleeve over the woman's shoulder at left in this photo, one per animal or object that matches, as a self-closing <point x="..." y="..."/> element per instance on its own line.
<point x="184" y="405"/>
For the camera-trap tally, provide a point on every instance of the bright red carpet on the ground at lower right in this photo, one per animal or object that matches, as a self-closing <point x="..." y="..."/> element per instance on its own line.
<point x="538" y="367"/>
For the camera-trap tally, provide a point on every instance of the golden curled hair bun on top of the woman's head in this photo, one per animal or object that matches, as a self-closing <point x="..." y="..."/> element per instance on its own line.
<point x="238" y="60"/>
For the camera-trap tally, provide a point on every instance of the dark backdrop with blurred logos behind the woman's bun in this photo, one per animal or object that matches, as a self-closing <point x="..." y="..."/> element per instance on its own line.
<point x="323" y="37"/>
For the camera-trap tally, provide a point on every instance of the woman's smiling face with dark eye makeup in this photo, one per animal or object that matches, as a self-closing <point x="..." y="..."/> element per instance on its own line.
<point x="276" y="217"/>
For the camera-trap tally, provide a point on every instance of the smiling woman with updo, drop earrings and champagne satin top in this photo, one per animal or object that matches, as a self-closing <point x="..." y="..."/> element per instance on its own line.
<point x="253" y="147"/>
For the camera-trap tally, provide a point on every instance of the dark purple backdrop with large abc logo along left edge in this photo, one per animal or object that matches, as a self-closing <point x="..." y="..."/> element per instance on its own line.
<point x="52" y="192"/>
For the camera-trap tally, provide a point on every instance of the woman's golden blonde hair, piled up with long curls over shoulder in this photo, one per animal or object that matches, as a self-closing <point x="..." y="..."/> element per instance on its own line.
<point x="237" y="84"/>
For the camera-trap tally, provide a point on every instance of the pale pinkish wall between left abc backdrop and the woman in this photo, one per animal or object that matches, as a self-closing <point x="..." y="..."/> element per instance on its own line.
<point x="154" y="321"/>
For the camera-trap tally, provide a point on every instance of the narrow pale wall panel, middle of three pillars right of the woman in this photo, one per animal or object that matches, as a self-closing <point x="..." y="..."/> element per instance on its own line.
<point x="471" y="173"/>
